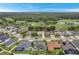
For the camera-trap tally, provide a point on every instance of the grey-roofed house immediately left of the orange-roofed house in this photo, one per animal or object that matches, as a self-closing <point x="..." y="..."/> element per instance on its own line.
<point x="39" y="45"/>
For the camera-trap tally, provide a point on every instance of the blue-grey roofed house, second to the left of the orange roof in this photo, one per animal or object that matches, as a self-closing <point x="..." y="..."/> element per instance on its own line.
<point x="23" y="46"/>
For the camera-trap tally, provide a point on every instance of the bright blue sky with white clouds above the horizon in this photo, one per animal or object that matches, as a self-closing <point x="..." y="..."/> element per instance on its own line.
<point x="39" y="7"/>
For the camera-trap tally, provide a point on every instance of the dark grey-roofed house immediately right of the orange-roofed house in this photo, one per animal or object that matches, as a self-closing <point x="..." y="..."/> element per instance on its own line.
<point x="68" y="48"/>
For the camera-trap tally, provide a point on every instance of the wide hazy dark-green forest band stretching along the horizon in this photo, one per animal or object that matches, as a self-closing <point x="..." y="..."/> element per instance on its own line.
<point x="35" y="17"/>
